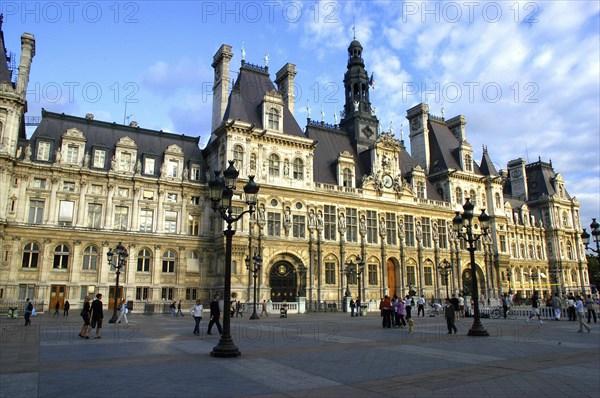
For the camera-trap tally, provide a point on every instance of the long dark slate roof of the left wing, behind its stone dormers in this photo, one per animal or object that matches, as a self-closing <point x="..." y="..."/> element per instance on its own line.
<point x="106" y="135"/>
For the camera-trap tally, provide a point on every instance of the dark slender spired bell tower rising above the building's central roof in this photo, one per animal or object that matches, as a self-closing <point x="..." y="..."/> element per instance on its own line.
<point x="358" y="120"/>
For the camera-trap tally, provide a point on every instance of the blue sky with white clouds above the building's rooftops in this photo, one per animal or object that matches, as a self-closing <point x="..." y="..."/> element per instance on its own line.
<point x="525" y="74"/>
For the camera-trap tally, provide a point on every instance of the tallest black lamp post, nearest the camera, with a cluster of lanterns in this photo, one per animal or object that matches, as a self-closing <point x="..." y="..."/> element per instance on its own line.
<point x="221" y="194"/>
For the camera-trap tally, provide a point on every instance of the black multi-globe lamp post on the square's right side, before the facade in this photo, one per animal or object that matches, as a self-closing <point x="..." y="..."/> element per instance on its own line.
<point x="466" y="229"/>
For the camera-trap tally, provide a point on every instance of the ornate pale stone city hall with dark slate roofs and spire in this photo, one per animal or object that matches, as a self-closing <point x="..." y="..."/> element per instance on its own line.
<point x="329" y="194"/>
